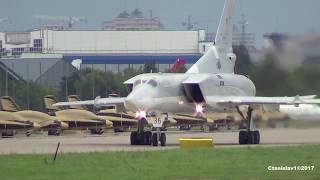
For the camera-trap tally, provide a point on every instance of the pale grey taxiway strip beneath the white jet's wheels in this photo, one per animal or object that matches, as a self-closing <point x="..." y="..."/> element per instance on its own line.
<point x="120" y="141"/>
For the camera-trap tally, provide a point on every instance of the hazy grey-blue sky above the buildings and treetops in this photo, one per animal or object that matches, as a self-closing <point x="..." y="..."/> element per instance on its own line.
<point x="290" y="16"/>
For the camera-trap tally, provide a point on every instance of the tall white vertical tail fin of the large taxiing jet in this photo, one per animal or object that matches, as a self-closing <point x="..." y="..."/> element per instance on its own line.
<point x="219" y="58"/>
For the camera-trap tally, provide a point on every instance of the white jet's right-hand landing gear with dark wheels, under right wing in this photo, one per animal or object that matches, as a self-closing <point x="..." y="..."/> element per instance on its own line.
<point x="248" y="136"/>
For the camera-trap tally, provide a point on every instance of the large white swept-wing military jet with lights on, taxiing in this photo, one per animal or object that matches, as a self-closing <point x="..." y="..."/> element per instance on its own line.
<point x="209" y="85"/>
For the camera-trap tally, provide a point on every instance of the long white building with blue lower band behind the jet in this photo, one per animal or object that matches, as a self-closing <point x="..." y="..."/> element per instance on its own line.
<point x="116" y="49"/>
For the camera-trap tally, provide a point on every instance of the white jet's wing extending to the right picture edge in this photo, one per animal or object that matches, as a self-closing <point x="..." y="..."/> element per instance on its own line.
<point x="256" y="100"/>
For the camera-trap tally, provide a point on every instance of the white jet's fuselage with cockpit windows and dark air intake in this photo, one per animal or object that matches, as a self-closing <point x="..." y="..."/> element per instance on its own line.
<point x="175" y="93"/>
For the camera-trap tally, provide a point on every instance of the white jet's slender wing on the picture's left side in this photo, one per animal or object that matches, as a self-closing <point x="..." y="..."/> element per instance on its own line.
<point x="97" y="102"/>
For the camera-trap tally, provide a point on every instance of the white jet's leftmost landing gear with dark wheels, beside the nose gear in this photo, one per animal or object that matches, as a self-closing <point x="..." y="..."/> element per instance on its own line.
<point x="141" y="137"/>
